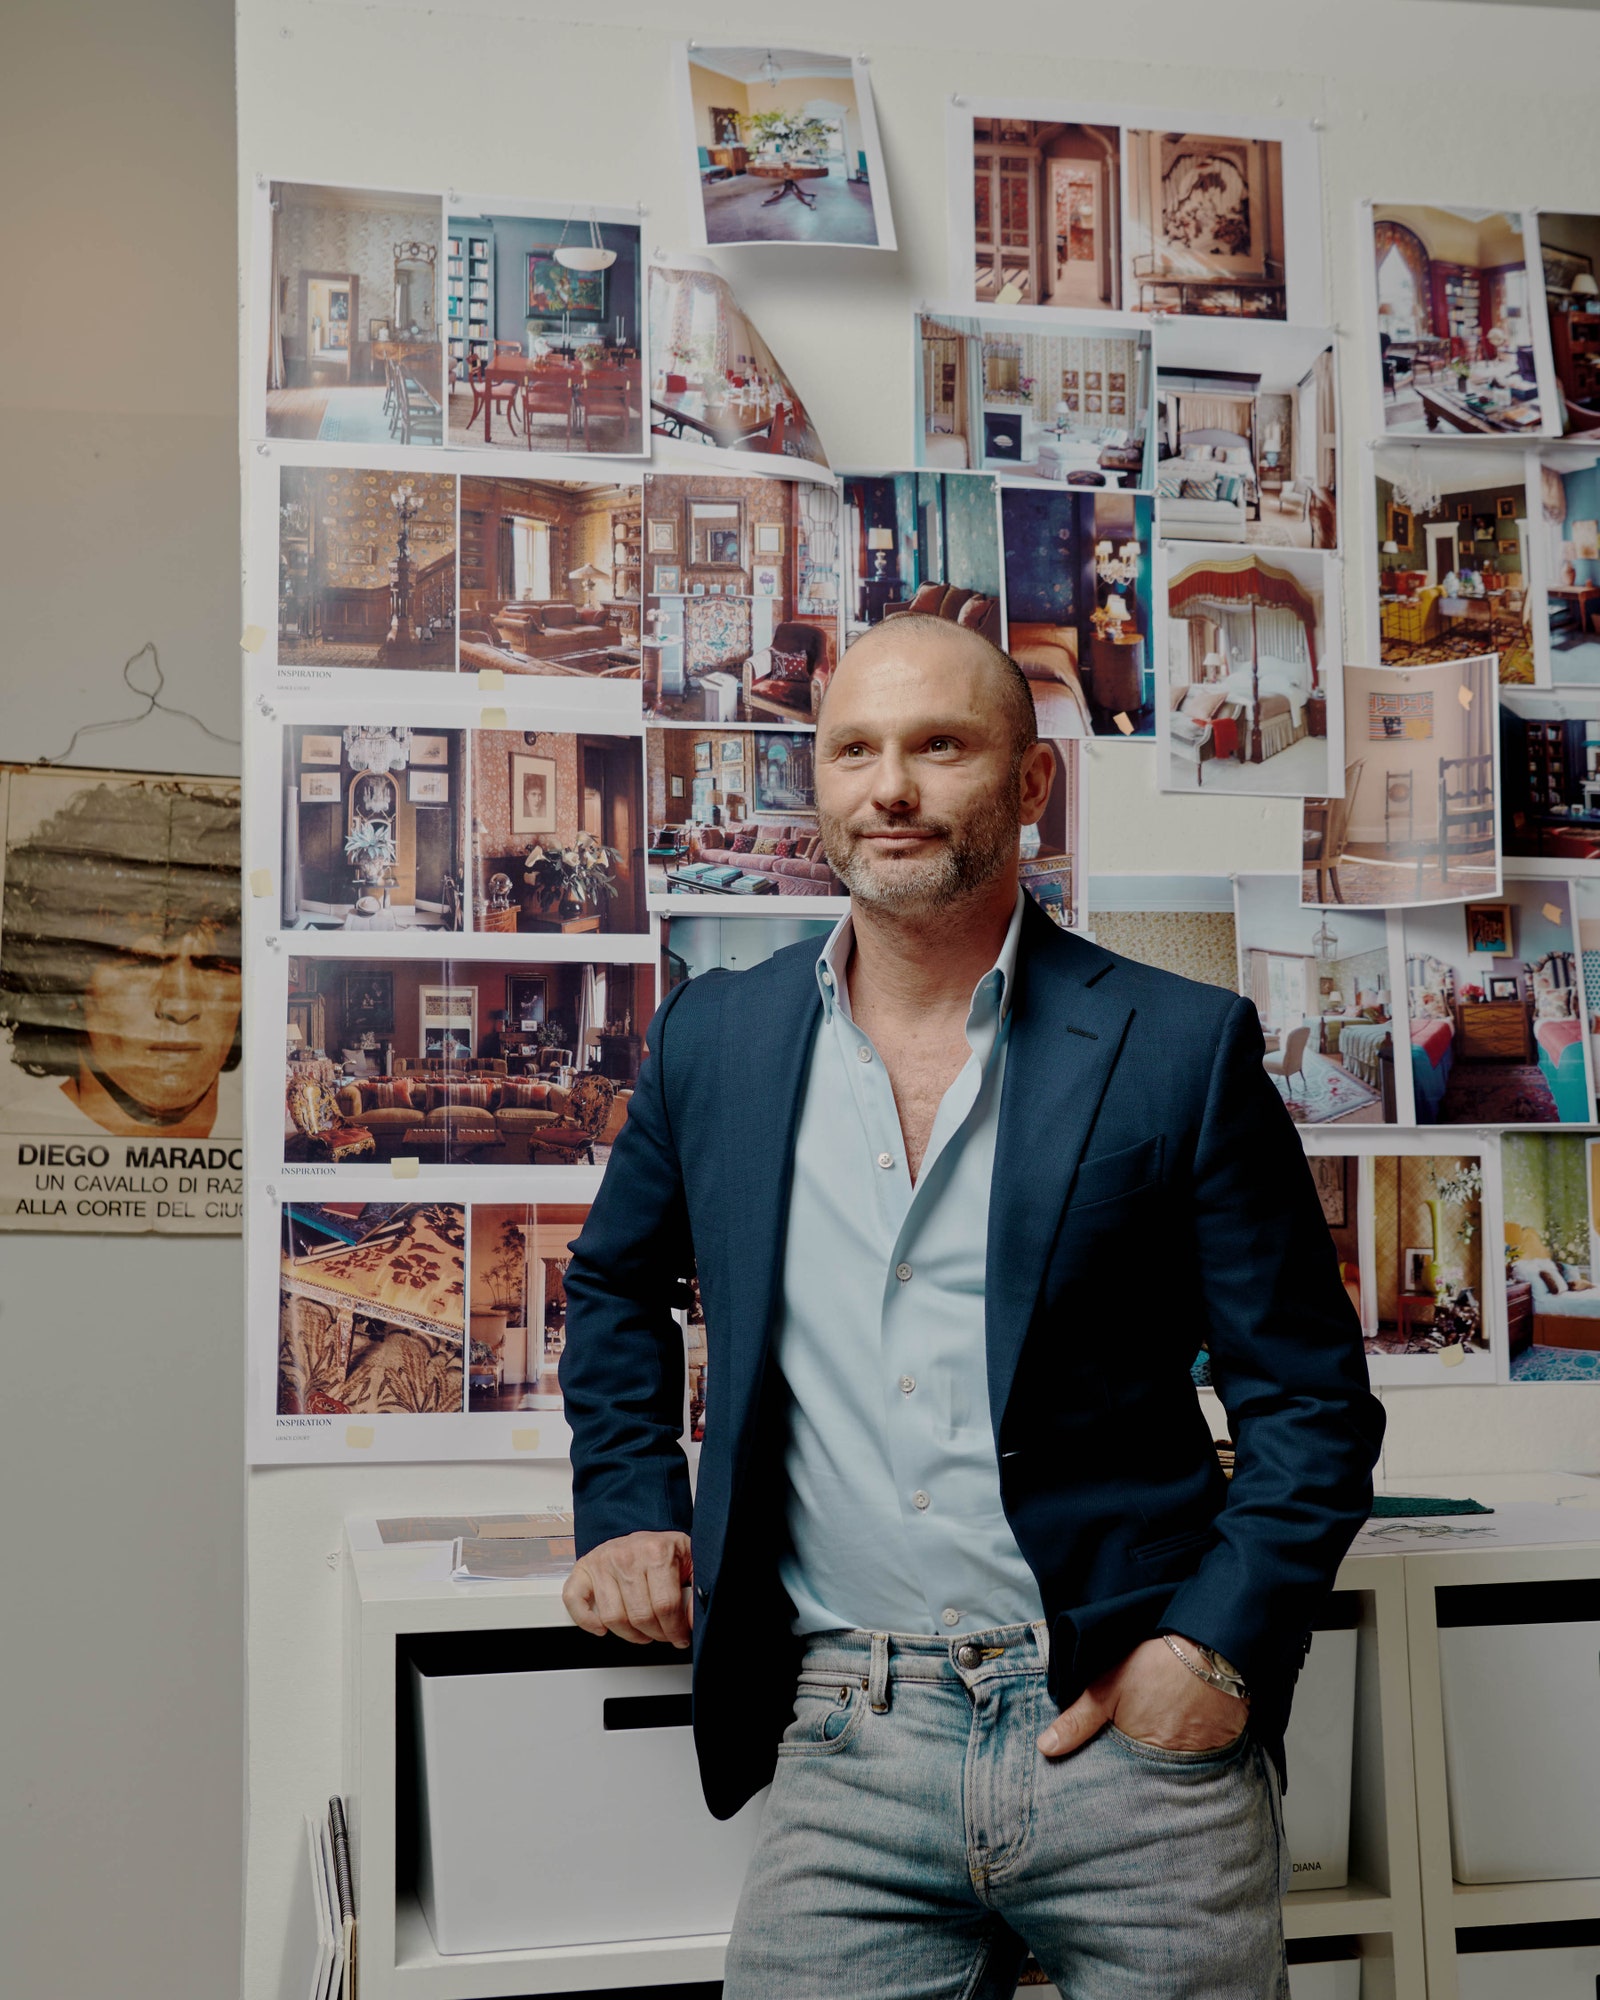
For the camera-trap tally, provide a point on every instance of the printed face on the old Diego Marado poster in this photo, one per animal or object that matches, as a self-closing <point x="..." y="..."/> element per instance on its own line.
<point x="161" y="1019"/>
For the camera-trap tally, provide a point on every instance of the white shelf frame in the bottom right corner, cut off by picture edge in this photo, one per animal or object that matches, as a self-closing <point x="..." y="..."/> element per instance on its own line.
<point x="1449" y="1905"/>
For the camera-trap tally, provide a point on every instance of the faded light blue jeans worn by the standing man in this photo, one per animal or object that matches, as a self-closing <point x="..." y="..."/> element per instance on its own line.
<point x="917" y="1841"/>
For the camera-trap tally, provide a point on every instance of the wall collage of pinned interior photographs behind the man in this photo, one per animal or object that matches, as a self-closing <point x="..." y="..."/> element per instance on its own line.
<point x="549" y="575"/>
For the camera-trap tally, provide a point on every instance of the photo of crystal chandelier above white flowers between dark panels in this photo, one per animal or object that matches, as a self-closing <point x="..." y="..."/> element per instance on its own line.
<point x="375" y="825"/>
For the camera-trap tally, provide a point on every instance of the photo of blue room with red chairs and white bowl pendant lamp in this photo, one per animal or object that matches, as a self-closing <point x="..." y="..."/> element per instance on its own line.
<point x="543" y="319"/>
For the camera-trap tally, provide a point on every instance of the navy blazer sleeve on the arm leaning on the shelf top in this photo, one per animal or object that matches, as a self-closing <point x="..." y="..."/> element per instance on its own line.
<point x="623" y="1367"/>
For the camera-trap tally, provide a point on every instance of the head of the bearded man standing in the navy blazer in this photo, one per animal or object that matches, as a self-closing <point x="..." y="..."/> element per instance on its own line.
<point x="917" y="795"/>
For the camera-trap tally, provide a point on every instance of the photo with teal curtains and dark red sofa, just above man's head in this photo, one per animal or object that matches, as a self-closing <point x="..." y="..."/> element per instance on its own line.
<point x="923" y="543"/>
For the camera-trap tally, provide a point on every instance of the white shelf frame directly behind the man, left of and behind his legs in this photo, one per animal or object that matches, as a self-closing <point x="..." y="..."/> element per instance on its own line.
<point x="403" y="1591"/>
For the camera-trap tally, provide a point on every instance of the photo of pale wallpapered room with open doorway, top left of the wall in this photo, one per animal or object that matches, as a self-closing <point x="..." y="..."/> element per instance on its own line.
<point x="353" y="317"/>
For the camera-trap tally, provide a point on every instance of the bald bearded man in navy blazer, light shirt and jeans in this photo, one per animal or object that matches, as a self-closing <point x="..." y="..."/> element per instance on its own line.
<point x="963" y="1577"/>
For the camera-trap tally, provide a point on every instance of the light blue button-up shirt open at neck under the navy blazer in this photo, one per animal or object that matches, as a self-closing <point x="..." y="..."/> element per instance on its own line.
<point x="893" y="1483"/>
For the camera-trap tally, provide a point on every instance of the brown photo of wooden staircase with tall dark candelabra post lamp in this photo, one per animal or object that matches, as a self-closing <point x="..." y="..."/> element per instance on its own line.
<point x="367" y="569"/>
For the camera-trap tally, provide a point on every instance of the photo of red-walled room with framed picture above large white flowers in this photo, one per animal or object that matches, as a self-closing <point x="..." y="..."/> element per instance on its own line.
<point x="557" y="833"/>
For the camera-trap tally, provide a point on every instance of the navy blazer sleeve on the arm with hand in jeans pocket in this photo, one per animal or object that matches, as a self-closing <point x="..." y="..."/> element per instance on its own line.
<point x="1291" y="1371"/>
